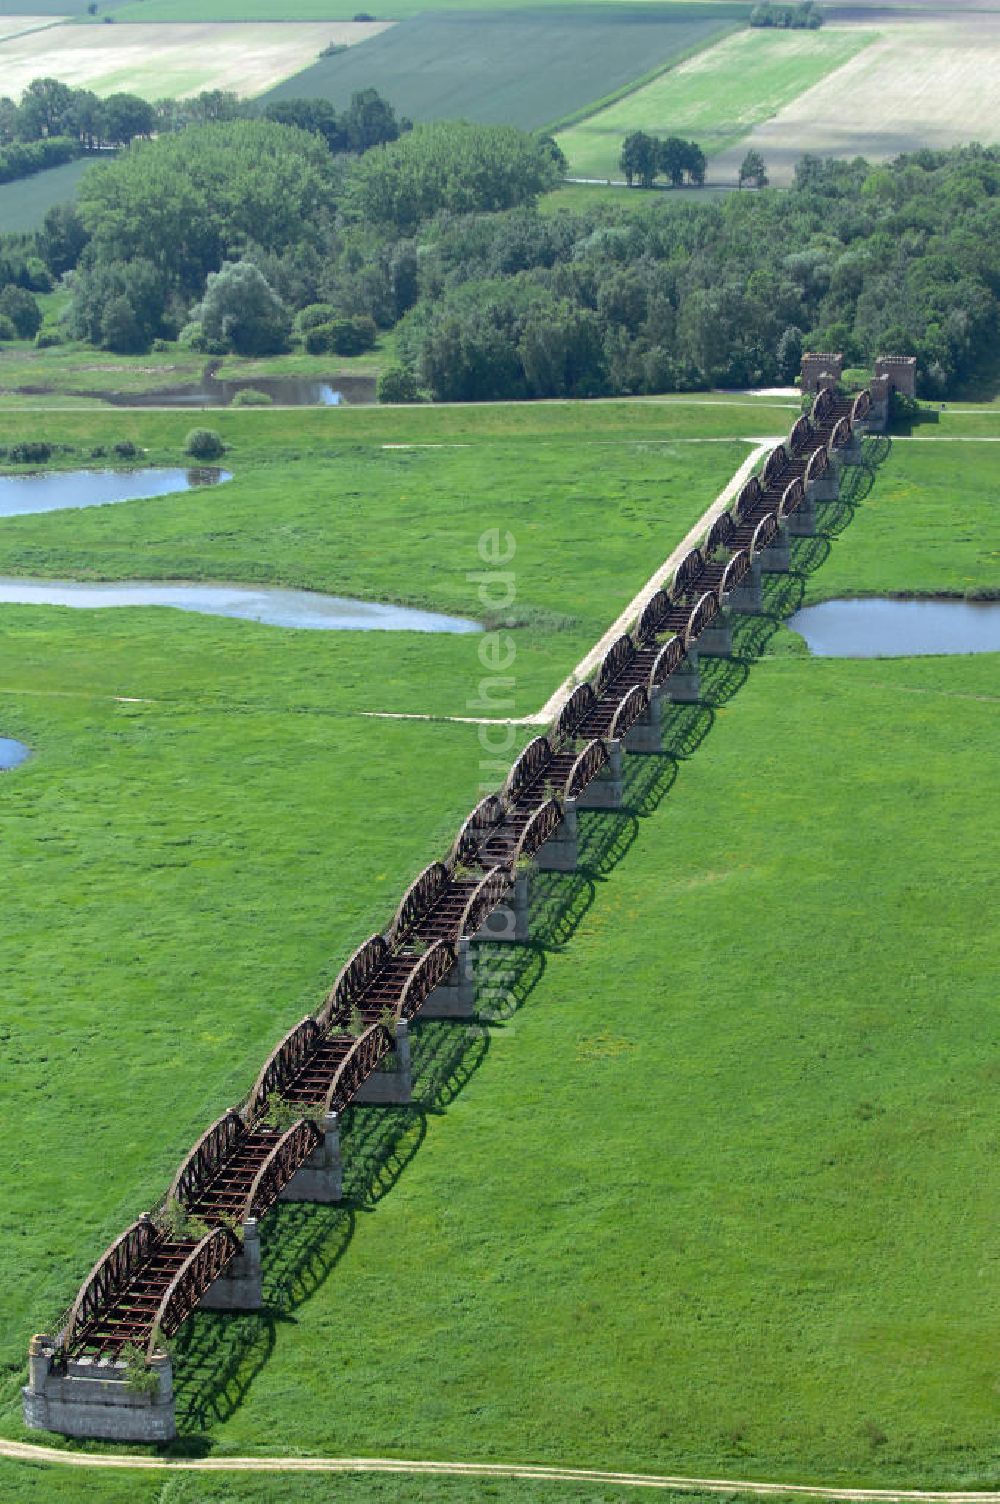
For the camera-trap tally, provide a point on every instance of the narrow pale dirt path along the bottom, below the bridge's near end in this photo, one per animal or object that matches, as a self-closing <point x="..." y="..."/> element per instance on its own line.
<point x="25" y="1452"/>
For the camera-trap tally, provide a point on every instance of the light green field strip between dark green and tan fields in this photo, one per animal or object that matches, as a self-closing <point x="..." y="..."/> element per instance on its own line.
<point x="717" y="97"/>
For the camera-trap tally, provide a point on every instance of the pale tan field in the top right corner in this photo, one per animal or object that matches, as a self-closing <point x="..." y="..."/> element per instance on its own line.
<point x="921" y="83"/>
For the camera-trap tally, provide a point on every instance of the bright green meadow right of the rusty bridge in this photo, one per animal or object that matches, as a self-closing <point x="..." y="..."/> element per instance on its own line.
<point x="694" y="1205"/>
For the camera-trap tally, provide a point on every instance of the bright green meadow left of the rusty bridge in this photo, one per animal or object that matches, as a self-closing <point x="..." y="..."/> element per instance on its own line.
<point x="208" y="826"/>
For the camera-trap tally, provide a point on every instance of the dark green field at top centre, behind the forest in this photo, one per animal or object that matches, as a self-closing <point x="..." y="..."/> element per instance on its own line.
<point x="498" y="67"/>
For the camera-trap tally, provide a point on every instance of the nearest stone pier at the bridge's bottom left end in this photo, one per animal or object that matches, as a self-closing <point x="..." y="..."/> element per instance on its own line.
<point x="91" y="1398"/>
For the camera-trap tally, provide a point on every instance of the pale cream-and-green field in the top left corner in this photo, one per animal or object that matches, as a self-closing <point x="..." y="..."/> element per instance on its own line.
<point x="174" y="61"/>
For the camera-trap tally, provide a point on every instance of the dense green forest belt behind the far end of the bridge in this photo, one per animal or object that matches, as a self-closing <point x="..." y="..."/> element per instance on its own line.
<point x="250" y="234"/>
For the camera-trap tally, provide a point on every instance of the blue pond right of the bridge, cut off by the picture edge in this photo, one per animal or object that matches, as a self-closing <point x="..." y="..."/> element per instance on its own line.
<point x="898" y="628"/>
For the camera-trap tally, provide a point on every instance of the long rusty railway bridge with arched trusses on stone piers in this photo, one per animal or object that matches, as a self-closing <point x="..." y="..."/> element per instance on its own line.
<point x="199" y="1246"/>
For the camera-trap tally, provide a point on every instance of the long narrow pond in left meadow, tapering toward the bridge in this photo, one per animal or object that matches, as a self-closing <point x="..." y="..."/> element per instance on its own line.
<point x="276" y="608"/>
